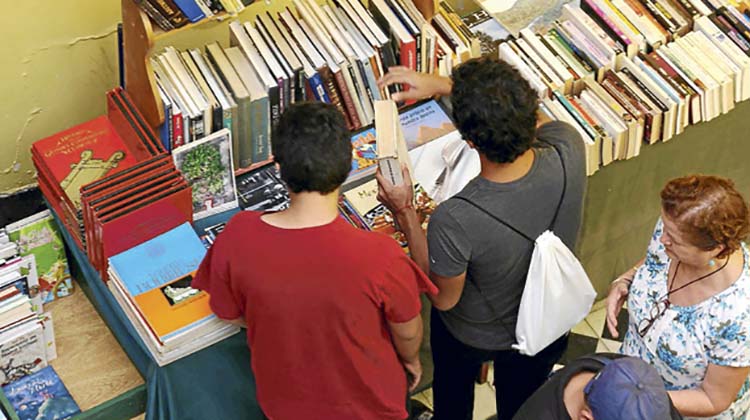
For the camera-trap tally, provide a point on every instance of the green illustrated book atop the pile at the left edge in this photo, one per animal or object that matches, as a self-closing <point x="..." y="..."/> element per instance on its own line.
<point x="39" y="235"/>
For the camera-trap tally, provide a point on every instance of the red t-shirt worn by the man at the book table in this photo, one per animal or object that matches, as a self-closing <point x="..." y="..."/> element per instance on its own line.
<point x="316" y="301"/>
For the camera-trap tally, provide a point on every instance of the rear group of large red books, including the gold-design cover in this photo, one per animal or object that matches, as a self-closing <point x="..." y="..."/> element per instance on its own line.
<point x="88" y="152"/>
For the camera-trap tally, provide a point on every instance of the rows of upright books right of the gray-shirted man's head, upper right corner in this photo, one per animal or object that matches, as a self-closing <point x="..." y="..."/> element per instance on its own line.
<point x="634" y="72"/>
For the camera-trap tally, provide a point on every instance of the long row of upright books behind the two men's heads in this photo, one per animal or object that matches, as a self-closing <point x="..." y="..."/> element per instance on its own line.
<point x="333" y="53"/>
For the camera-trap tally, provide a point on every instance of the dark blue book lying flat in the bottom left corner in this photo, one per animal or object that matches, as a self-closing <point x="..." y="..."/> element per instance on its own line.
<point x="41" y="396"/>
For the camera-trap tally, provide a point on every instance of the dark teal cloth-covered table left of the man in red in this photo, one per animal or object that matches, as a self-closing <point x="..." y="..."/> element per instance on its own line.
<point x="215" y="383"/>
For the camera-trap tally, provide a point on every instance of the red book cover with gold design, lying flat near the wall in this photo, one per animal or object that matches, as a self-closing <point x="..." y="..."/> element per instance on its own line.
<point x="82" y="154"/>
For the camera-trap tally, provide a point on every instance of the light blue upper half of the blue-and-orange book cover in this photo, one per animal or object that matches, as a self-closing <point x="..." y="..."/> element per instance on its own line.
<point x="171" y="255"/>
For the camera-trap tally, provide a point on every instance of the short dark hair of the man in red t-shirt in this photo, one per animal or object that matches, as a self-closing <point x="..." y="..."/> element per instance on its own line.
<point x="311" y="144"/>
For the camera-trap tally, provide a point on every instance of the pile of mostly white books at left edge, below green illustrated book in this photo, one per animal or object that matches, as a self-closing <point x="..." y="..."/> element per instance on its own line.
<point x="27" y="339"/>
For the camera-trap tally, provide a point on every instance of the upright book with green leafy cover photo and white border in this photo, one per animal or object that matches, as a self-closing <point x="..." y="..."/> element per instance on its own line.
<point x="208" y="167"/>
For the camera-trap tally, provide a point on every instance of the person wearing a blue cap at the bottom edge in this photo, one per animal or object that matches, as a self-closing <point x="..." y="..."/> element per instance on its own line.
<point x="601" y="386"/>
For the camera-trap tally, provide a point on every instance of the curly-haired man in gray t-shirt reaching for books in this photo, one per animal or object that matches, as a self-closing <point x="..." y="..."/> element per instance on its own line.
<point x="480" y="265"/>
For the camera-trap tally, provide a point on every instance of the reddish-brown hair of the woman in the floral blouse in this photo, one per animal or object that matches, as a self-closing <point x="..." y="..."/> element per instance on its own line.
<point x="708" y="210"/>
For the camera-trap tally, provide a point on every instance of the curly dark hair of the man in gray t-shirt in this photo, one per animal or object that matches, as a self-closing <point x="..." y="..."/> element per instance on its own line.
<point x="494" y="107"/>
